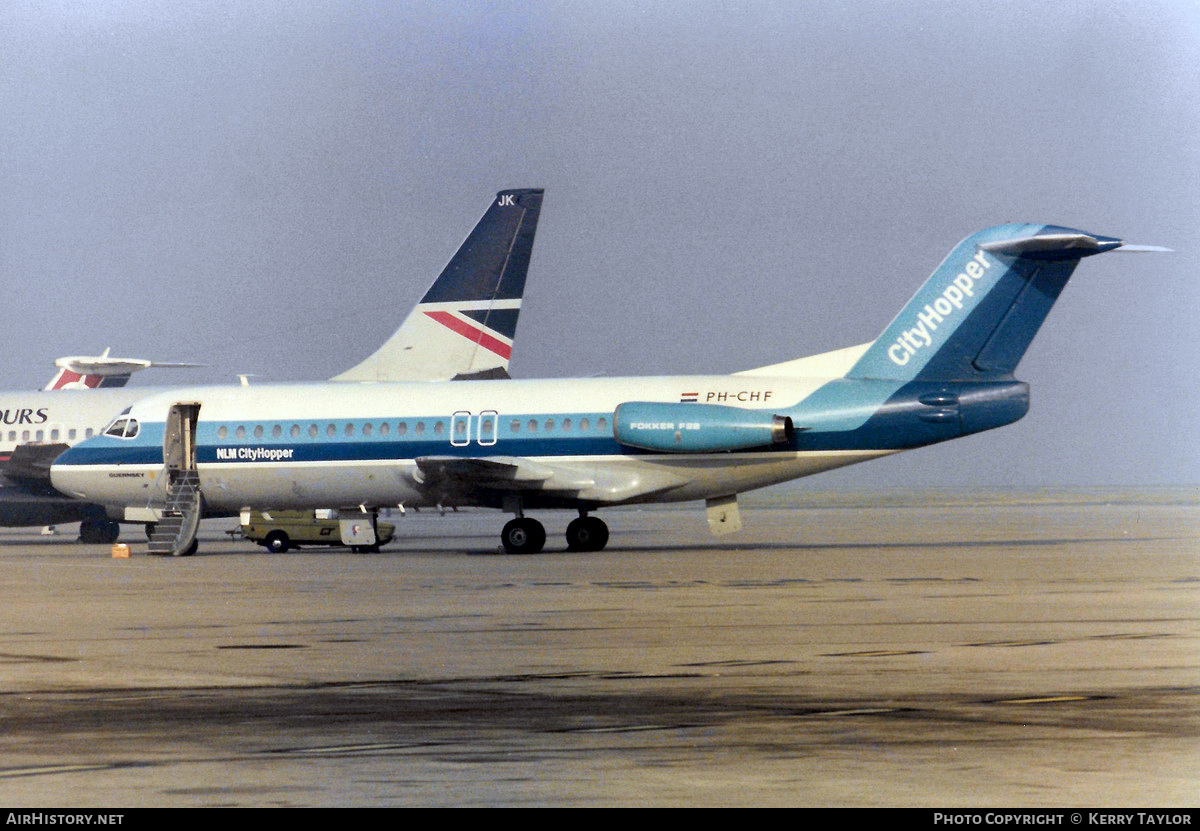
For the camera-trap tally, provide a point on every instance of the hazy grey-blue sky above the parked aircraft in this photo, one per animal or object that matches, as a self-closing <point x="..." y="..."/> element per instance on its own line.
<point x="271" y="187"/>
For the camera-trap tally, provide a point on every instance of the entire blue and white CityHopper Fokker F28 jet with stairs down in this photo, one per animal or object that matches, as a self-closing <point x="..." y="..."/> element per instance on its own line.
<point x="943" y="369"/>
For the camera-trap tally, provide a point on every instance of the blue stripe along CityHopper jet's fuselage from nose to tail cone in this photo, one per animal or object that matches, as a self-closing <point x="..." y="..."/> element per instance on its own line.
<point x="903" y="421"/>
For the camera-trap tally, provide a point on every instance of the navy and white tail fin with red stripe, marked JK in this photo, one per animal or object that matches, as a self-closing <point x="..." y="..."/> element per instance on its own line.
<point x="465" y="325"/>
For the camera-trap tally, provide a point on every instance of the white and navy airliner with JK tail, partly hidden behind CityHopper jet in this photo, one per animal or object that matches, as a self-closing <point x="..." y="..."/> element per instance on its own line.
<point x="463" y="328"/>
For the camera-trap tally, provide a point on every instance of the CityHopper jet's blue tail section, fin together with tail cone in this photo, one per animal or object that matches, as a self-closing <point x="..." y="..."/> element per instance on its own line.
<point x="944" y="368"/>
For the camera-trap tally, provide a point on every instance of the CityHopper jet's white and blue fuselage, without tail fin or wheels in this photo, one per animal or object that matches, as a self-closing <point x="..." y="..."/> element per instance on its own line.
<point x="314" y="446"/>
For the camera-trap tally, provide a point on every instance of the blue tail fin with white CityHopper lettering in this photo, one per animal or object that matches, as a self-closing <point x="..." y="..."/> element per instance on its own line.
<point x="979" y="313"/>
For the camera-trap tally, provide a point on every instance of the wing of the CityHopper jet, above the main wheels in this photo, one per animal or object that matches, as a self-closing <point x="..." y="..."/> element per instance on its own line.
<point x="453" y="479"/>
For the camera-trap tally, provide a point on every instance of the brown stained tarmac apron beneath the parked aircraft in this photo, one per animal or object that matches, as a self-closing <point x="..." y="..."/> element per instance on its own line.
<point x="938" y="650"/>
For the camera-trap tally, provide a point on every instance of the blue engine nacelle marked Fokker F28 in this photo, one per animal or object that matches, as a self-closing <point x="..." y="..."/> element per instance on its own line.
<point x="698" y="428"/>
